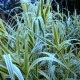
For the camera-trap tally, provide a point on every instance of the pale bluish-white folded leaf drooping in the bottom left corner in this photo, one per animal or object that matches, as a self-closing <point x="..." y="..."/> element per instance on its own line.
<point x="12" y="68"/>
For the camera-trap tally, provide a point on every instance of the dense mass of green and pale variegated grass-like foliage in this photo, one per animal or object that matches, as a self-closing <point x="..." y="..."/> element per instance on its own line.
<point x="43" y="44"/>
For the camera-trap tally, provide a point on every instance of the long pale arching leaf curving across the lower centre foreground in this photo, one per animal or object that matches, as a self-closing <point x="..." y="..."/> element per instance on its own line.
<point x="50" y="58"/>
